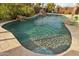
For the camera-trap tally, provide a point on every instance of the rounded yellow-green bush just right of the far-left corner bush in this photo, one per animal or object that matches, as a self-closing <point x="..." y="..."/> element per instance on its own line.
<point x="25" y="11"/>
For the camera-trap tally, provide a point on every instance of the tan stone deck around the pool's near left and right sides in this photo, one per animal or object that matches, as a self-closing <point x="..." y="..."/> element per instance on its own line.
<point x="9" y="46"/>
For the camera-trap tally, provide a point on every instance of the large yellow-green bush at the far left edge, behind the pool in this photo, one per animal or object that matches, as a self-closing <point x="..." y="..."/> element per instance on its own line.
<point x="7" y="11"/>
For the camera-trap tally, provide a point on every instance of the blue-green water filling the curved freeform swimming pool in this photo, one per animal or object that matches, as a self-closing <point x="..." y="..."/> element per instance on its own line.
<point x="42" y="34"/>
